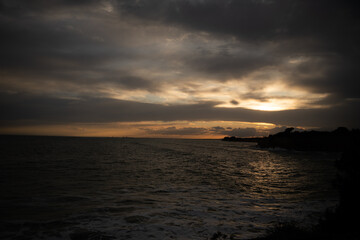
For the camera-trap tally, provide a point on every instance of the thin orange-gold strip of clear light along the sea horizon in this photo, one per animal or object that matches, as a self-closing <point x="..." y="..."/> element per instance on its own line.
<point x="146" y="129"/>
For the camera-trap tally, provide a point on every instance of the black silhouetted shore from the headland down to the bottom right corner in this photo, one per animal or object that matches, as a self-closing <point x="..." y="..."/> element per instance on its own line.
<point x="340" y="223"/>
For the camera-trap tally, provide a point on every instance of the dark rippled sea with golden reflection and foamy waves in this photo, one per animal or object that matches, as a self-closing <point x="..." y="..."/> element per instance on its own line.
<point x="120" y="188"/>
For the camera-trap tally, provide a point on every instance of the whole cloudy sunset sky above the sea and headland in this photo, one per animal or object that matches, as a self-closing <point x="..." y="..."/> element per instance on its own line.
<point x="178" y="68"/>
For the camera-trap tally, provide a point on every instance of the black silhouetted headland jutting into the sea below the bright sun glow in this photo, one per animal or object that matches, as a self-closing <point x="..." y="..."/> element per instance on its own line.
<point x="334" y="141"/>
